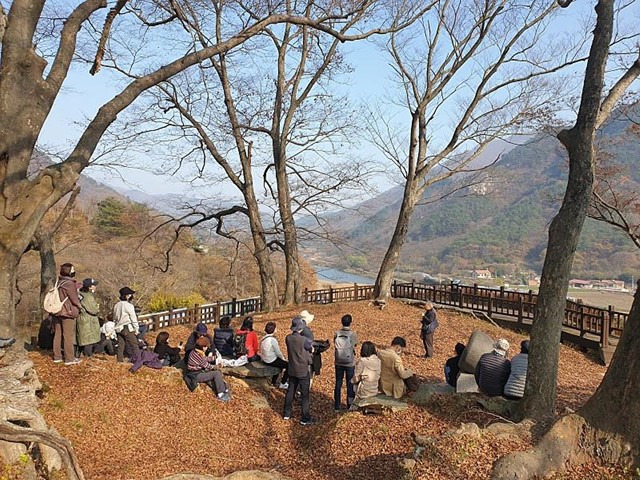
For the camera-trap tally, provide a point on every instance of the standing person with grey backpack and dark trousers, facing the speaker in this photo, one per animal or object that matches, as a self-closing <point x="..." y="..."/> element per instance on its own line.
<point x="345" y="341"/>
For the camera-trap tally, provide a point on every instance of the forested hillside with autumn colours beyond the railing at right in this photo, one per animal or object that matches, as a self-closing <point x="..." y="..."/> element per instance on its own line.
<point x="501" y="223"/>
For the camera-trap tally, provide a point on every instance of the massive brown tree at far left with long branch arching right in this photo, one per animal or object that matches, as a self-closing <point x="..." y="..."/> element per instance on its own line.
<point x="29" y="87"/>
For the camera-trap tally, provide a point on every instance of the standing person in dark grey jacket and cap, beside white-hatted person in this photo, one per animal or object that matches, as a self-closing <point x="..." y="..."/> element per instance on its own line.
<point x="299" y="350"/>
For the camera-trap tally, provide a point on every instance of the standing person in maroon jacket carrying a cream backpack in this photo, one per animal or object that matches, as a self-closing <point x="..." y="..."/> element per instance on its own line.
<point x="65" y="321"/>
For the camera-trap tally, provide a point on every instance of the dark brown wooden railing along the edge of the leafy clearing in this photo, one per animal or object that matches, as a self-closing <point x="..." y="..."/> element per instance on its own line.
<point x="495" y="302"/>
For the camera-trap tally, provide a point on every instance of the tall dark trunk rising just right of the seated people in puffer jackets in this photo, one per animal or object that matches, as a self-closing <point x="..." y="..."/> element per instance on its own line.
<point x="564" y="232"/>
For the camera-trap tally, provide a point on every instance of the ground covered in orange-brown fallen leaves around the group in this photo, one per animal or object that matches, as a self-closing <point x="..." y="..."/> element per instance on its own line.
<point x="147" y="425"/>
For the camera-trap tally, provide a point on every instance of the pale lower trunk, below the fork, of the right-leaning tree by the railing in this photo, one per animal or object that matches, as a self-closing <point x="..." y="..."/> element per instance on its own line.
<point x="382" y="287"/>
